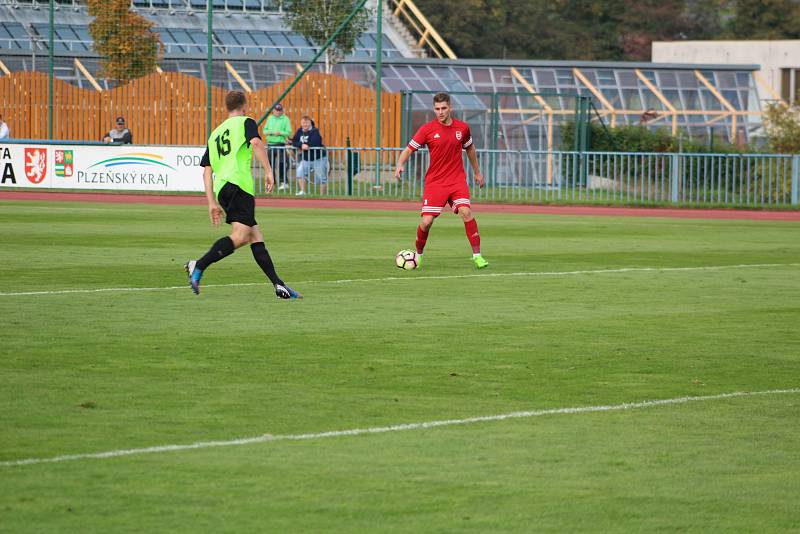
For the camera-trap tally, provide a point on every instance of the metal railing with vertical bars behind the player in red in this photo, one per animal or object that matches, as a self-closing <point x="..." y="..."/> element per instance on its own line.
<point x="617" y="178"/>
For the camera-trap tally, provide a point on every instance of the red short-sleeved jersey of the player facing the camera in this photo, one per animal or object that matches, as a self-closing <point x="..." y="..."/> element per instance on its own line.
<point x="445" y="144"/>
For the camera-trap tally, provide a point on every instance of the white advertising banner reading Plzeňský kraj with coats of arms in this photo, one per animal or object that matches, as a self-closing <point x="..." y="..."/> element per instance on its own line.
<point x="113" y="167"/>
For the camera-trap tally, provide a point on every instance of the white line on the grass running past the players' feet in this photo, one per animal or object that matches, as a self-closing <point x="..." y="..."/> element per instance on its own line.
<point x="409" y="278"/>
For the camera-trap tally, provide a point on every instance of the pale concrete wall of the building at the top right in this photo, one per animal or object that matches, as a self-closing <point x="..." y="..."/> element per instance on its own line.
<point x="771" y="55"/>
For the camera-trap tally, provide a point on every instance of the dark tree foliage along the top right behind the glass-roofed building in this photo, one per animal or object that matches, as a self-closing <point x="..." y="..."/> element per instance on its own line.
<point x="601" y="29"/>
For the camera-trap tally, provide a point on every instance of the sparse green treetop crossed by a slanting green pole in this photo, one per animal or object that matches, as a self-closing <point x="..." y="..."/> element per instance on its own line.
<point x="317" y="20"/>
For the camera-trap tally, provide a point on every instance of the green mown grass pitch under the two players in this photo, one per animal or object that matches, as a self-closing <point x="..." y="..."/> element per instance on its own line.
<point x="371" y="346"/>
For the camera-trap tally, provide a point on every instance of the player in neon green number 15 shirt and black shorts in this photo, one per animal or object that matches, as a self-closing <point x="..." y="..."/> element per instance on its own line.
<point x="229" y="186"/>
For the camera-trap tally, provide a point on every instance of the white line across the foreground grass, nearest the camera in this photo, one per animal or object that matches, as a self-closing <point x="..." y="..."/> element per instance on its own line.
<point x="267" y="438"/>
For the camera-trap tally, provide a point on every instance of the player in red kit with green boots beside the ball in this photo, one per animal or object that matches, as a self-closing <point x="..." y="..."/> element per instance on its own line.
<point x="445" y="181"/>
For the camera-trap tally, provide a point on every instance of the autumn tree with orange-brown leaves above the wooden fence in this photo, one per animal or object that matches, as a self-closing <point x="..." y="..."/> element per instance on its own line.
<point x="124" y="40"/>
